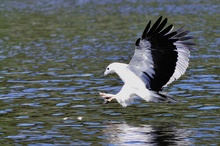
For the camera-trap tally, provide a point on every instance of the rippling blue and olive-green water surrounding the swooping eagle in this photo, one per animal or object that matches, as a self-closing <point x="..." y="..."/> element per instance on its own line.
<point x="53" y="54"/>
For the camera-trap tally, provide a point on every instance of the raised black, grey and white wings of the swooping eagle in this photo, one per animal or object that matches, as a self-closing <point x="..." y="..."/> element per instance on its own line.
<point x="161" y="55"/>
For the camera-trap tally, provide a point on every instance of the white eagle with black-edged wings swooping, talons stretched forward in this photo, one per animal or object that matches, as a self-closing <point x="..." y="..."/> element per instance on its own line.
<point x="161" y="56"/>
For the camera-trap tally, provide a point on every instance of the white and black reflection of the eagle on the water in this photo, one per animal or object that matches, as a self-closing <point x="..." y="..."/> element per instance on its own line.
<point x="124" y="134"/>
